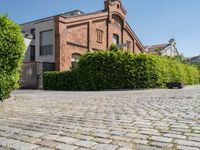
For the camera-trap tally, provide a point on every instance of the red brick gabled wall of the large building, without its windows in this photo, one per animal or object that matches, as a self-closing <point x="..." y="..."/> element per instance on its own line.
<point x="78" y="34"/>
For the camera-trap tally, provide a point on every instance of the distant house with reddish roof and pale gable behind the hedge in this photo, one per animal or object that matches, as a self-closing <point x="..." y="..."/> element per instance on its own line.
<point x="168" y="49"/>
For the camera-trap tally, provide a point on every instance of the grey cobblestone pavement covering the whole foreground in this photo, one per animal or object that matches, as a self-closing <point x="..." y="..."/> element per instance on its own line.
<point x="119" y="120"/>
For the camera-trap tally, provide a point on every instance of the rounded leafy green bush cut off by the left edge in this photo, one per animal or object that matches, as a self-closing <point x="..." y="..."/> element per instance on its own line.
<point x="12" y="50"/>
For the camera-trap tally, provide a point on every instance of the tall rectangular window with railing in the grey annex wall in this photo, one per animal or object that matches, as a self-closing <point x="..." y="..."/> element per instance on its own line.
<point x="46" y="43"/>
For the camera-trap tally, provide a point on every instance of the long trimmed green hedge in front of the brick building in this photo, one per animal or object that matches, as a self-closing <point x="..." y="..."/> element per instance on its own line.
<point x="120" y="70"/>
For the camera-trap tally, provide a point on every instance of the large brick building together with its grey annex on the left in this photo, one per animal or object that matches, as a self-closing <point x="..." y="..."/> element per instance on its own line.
<point x="61" y="39"/>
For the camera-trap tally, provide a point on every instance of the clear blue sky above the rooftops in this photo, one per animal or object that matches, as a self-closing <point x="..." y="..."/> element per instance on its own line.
<point x="154" y="21"/>
